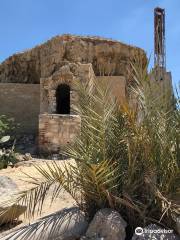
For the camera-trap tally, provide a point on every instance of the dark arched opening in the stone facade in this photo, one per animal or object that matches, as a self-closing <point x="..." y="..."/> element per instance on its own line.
<point x="63" y="99"/>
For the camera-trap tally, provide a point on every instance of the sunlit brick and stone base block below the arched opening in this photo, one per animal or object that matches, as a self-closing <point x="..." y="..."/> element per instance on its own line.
<point x="56" y="131"/>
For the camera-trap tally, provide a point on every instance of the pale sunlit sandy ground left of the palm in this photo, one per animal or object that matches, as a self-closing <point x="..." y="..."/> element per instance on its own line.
<point x="17" y="174"/>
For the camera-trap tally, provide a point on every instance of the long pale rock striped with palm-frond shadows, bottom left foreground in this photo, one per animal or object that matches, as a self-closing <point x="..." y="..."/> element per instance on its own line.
<point x="67" y="224"/>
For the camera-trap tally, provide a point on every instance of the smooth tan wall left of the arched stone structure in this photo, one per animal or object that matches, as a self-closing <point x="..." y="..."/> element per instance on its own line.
<point x="21" y="102"/>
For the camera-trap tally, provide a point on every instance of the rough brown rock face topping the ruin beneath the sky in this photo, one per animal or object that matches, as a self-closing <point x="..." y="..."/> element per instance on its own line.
<point x="108" y="57"/>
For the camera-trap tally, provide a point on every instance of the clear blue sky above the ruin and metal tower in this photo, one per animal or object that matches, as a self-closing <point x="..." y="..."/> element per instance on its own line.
<point x="27" y="23"/>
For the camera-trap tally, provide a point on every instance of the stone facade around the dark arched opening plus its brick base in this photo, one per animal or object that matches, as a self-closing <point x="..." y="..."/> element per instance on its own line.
<point x="57" y="130"/>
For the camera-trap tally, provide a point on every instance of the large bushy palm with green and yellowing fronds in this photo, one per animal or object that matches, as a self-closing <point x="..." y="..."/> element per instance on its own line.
<point x="127" y="157"/>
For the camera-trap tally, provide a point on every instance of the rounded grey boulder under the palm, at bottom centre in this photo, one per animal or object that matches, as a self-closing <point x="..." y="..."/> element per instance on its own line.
<point x="107" y="224"/>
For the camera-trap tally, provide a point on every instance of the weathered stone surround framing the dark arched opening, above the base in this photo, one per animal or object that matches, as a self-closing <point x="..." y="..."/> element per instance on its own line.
<point x="69" y="75"/>
